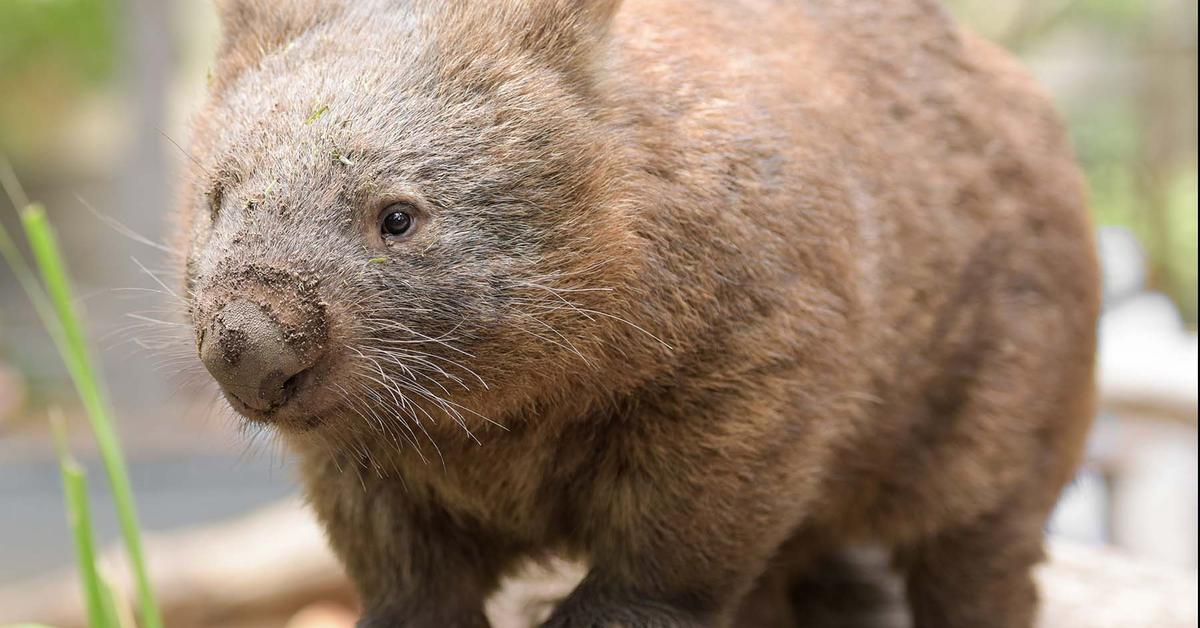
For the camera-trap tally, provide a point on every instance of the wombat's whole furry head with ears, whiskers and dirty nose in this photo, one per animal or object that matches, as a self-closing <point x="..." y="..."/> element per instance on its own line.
<point x="398" y="210"/>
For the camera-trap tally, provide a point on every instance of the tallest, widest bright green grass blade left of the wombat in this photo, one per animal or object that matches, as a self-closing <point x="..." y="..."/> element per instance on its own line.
<point x="75" y="351"/>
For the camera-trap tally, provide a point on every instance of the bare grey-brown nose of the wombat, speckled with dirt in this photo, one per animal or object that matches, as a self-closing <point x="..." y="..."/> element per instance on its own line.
<point x="248" y="354"/>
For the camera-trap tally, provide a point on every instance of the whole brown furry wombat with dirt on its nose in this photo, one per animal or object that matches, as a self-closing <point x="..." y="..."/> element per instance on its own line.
<point x="698" y="292"/>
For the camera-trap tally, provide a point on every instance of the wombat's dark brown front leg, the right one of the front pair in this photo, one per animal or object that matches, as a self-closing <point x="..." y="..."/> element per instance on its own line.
<point x="677" y="539"/>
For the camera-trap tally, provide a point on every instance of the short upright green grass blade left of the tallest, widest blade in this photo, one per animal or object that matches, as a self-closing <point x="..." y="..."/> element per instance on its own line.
<point x="101" y="613"/>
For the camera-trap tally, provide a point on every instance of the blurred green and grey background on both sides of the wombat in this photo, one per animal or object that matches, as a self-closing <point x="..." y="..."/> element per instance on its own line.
<point x="95" y="98"/>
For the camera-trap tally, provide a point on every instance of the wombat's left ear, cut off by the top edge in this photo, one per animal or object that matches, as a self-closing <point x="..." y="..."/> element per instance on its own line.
<point x="253" y="29"/>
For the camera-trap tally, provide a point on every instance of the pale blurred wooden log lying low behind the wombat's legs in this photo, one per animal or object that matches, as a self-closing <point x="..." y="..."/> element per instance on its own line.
<point x="273" y="565"/>
